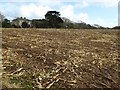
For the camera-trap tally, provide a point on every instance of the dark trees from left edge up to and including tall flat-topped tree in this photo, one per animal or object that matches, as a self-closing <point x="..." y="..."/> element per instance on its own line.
<point x="52" y="20"/>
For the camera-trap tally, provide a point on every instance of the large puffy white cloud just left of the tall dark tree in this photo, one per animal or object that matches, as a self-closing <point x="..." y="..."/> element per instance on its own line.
<point x="34" y="11"/>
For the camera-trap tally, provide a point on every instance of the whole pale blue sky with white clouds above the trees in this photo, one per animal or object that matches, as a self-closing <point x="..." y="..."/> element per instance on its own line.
<point x="102" y="12"/>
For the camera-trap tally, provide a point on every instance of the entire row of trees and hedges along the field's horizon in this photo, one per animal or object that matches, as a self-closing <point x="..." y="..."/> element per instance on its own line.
<point x="52" y="20"/>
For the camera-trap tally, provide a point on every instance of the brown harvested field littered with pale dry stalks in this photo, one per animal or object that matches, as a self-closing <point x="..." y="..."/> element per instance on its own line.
<point x="39" y="58"/>
